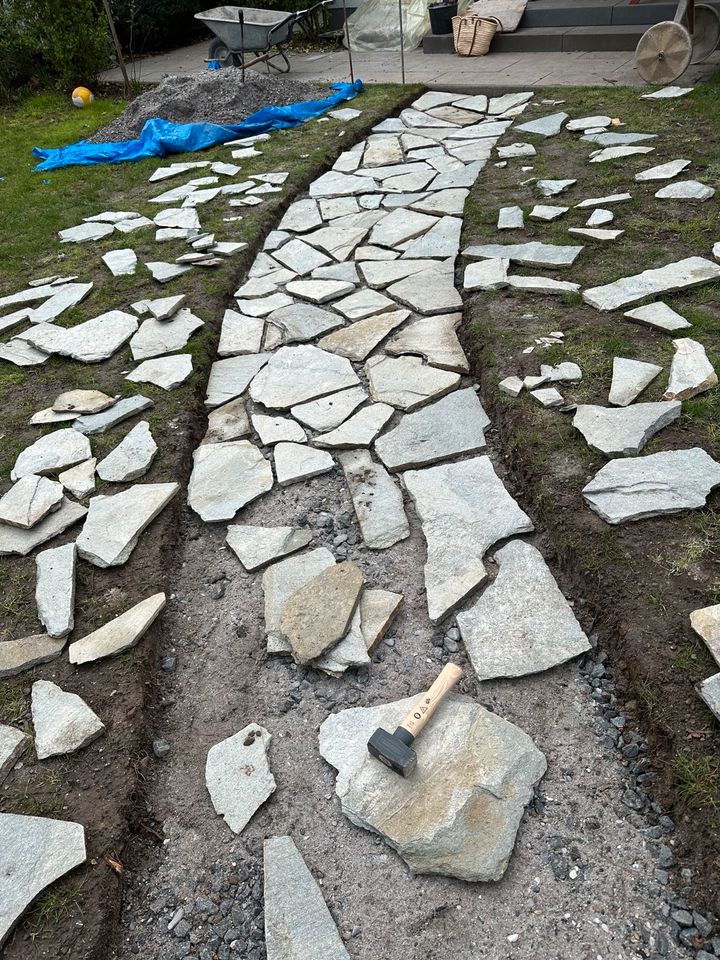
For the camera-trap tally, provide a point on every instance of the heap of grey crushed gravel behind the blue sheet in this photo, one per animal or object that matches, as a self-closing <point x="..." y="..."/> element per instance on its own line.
<point x="219" y="96"/>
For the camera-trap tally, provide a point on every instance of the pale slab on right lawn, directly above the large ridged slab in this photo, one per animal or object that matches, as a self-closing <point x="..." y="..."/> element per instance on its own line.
<point x="617" y="431"/>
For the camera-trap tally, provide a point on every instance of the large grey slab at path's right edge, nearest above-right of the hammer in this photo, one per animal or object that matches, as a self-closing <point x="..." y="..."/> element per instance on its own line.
<point x="522" y="623"/>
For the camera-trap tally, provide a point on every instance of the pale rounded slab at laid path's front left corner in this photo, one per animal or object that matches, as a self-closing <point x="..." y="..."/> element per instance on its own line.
<point x="226" y="477"/>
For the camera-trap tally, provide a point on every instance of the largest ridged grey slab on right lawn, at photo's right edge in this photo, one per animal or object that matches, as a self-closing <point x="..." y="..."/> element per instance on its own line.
<point x="661" y="483"/>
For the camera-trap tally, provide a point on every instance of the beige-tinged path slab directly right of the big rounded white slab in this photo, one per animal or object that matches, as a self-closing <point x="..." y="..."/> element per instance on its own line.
<point x="406" y="382"/>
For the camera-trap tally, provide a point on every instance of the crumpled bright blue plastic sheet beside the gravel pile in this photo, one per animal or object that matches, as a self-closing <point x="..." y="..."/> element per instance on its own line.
<point x="161" y="137"/>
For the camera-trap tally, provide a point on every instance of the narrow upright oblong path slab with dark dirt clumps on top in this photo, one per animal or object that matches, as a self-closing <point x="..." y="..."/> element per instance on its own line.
<point x="377" y="500"/>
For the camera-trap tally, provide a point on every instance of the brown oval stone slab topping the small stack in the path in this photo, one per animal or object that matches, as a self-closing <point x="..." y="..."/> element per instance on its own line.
<point x="318" y="614"/>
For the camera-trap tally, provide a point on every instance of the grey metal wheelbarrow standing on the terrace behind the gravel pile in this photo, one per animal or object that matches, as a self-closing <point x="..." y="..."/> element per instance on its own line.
<point x="245" y="36"/>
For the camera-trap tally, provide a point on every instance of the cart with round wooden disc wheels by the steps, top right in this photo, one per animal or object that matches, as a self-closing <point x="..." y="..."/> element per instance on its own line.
<point x="666" y="50"/>
